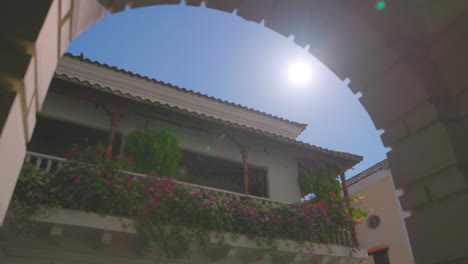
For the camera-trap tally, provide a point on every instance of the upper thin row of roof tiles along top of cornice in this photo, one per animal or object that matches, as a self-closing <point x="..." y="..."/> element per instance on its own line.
<point x="81" y="58"/>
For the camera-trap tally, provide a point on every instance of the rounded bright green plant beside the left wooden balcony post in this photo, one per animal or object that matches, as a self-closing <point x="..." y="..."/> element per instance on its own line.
<point x="153" y="151"/>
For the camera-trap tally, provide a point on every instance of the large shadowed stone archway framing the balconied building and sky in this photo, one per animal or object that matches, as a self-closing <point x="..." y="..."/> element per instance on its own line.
<point x="405" y="60"/>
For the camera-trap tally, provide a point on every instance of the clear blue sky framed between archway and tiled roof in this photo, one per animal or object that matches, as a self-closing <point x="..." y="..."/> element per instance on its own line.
<point x="222" y="55"/>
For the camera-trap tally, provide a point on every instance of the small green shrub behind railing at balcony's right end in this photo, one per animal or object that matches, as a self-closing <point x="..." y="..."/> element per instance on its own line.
<point x="321" y="182"/>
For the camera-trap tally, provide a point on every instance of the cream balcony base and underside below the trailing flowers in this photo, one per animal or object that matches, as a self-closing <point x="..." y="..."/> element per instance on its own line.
<point x="72" y="237"/>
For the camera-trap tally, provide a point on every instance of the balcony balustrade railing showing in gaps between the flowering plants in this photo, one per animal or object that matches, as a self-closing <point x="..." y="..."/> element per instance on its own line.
<point x="341" y="235"/>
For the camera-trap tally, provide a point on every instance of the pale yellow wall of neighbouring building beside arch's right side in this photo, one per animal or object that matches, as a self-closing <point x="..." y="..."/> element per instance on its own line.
<point x="381" y="198"/>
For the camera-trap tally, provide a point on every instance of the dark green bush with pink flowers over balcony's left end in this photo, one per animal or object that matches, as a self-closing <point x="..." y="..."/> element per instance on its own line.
<point x="82" y="183"/>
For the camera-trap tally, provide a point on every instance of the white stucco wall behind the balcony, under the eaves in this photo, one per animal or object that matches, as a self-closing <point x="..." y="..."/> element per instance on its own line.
<point x="281" y="166"/>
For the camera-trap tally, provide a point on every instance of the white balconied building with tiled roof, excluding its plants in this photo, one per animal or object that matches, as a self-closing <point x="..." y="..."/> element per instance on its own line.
<point x="226" y="148"/>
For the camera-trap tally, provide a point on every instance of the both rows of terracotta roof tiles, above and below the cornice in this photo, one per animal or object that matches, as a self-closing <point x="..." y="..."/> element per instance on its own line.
<point x="343" y="155"/>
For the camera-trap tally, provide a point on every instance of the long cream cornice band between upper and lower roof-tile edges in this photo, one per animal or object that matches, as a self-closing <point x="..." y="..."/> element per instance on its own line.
<point x="96" y="74"/>
